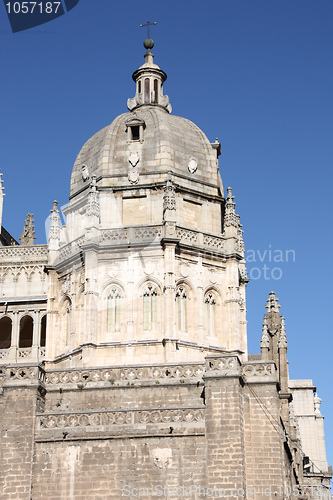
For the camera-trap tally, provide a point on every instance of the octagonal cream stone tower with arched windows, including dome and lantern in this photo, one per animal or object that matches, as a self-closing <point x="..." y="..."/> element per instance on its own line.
<point x="150" y="264"/>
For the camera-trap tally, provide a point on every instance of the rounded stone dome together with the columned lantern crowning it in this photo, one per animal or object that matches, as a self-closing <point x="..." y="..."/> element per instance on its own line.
<point x="143" y="146"/>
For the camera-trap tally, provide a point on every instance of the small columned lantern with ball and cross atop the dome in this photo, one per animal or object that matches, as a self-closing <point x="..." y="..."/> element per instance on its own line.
<point x="149" y="79"/>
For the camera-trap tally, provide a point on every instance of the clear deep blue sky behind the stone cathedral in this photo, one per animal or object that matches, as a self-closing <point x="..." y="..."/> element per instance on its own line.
<point x="257" y="74"/>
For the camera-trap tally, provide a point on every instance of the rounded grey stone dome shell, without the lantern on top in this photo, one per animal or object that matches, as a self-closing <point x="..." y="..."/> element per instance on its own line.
<point x="162" y="143"/>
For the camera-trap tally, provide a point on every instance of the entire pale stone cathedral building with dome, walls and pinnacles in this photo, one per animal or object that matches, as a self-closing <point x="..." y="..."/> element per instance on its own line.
<point x="124" y="369"/>
